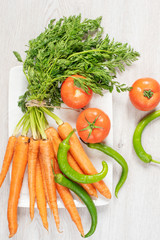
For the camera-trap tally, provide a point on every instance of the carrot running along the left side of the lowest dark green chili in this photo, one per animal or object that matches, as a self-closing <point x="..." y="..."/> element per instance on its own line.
<point x="69" y="202"/>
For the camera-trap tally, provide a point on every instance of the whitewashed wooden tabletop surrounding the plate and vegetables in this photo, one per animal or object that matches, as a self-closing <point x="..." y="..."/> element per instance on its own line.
<point x="136" y="214"/>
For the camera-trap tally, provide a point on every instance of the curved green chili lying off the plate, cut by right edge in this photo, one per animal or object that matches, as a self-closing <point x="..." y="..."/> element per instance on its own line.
<point x="145" y="157"/>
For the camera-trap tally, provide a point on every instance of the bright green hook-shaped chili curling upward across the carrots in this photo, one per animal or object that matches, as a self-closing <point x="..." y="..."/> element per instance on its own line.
<point x="70" y="172"/>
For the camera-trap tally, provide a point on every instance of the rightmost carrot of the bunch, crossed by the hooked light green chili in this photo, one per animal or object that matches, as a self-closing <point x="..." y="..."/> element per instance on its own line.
<point x="81" y="158"/>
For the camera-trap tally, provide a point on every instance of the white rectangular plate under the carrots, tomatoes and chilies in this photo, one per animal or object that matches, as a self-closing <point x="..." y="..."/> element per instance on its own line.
<point x="17" y="87"/>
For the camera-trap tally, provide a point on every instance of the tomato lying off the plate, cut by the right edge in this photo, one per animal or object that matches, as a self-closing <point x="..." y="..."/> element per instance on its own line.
<point x="145" y="94"/>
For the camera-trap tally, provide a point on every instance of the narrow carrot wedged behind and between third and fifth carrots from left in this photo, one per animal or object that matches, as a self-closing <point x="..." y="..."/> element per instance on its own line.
<point x="40" y="196"/>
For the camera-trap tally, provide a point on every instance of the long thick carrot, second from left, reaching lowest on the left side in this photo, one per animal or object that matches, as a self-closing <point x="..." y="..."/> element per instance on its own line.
<point x="18" y="169"/>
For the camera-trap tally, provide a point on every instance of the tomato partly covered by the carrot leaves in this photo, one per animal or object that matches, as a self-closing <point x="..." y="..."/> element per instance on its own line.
<point x="74" y="96"/>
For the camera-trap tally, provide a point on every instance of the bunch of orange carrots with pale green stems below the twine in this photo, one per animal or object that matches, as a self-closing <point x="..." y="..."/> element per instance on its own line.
<point x="38" y="151"/>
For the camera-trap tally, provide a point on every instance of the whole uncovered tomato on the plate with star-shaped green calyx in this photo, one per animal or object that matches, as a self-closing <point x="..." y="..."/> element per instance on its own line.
<point x="93" y="125"/>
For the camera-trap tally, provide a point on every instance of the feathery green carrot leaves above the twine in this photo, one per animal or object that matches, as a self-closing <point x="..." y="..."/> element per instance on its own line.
<point x="73" y="46"/>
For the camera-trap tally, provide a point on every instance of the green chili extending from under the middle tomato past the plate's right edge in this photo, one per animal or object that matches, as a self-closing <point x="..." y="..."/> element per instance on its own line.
<point x="112" y="153"/>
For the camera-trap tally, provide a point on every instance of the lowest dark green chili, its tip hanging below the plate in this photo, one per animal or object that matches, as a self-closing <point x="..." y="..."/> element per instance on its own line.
<point x="76" y="188"/>
